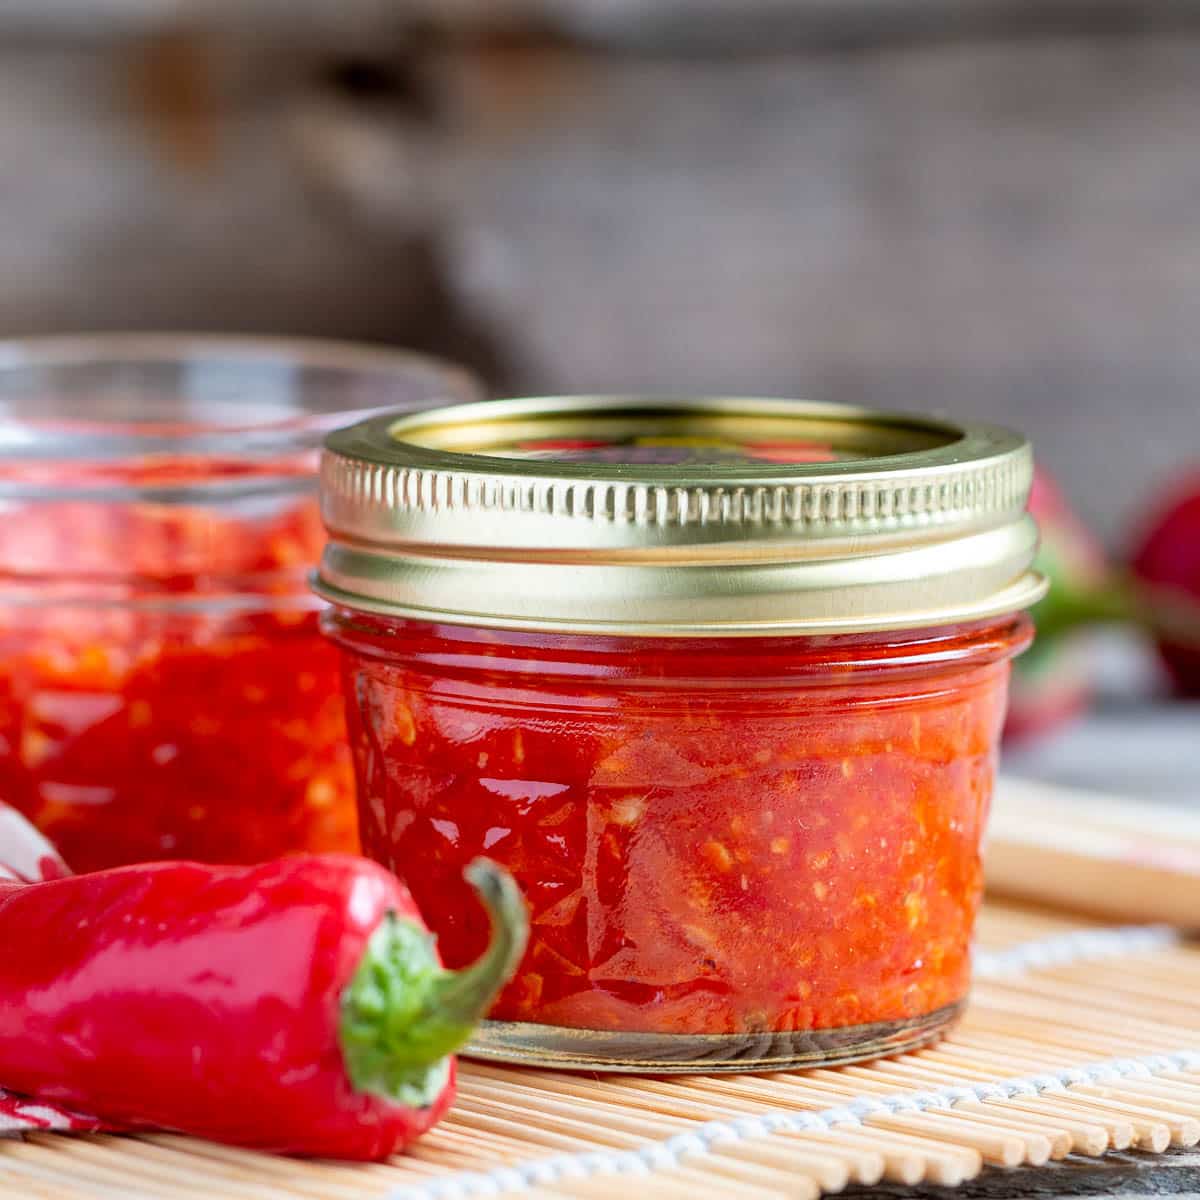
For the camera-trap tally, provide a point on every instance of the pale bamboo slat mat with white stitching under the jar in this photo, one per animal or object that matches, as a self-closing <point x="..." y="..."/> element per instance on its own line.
<point x="1079" y="1039"/>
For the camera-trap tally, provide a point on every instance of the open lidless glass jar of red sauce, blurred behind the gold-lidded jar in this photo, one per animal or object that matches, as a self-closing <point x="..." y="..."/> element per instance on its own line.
<point x="165" y="692"/>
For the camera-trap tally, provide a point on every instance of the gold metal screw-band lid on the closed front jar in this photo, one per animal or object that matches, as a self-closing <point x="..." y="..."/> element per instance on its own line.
<point x="677" y="518"/>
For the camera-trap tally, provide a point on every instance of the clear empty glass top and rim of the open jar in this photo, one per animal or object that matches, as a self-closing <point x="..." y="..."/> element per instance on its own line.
<point x="110" y="401"/>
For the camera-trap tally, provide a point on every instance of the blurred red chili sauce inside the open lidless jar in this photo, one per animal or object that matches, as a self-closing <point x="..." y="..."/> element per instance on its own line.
<point x="165" y="692"/>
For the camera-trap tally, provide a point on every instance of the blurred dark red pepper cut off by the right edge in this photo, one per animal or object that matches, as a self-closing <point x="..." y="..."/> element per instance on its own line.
<point x="1167" y="569"/>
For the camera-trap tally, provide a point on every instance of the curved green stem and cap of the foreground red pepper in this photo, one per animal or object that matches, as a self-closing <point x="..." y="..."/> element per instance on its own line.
<point x="404" y="1015"/>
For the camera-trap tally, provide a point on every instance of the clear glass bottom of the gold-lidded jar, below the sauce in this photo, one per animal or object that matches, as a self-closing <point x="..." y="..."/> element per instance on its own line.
<point x="530" y="1045"/>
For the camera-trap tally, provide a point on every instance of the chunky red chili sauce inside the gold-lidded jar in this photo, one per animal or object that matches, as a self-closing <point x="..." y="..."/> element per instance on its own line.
<point x="715" y="837"/>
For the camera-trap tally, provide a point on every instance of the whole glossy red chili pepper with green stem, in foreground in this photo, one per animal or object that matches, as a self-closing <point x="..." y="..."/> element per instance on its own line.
<point x="297" y="1007"/>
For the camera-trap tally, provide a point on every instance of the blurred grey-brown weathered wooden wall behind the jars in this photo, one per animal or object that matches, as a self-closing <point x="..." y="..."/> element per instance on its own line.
<point x="982" y="208"/>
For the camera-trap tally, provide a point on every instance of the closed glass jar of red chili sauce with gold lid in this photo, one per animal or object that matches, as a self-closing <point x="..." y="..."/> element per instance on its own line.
<point x="721" y="682"/>
